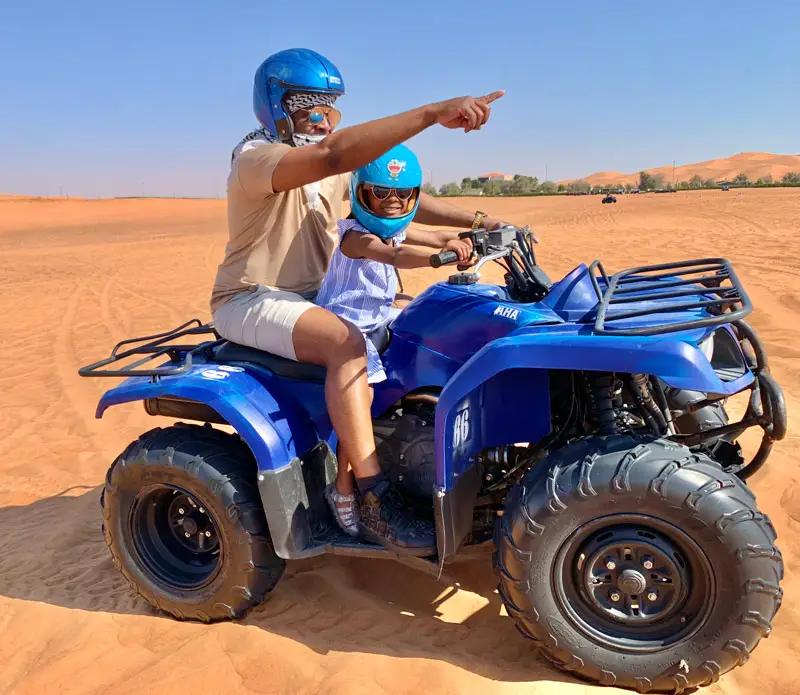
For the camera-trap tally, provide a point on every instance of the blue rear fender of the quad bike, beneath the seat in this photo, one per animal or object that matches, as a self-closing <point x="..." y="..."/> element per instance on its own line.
<point x="275" y="427"/>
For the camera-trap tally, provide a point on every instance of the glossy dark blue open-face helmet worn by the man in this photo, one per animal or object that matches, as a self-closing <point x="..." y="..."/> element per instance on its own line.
<point x="292" y="70"/>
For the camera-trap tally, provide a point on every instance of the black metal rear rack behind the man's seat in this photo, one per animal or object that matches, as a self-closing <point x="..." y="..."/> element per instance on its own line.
<point x="155" y="346"/>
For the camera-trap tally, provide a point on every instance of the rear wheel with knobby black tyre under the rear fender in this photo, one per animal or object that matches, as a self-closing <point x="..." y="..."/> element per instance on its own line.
<point x="184" y="523"/>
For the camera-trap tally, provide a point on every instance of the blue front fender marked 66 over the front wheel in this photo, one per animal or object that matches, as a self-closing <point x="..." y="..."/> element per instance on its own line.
<point x="475" y="409"/>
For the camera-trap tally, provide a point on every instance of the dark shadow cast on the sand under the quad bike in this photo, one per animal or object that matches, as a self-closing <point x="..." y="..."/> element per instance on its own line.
<point x="52" y="551"/>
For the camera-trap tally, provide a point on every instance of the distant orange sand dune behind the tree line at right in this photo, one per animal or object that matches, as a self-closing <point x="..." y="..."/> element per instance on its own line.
<point x="755" y="164"/>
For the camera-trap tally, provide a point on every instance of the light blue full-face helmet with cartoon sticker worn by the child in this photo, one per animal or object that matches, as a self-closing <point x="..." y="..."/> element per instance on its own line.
<point x="399" y="169"/>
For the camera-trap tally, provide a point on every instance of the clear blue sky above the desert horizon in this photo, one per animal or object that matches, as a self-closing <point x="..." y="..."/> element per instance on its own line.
<point x="115" y="98"/>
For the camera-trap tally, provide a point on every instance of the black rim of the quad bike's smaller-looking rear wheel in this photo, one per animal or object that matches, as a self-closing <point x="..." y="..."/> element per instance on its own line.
<point x="175" y="537"/>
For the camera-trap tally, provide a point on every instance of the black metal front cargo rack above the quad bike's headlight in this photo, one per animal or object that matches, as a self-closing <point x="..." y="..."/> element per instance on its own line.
<point x="707" y="283"/>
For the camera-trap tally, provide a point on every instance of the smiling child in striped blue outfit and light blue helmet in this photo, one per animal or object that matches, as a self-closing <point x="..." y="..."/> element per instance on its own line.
<point x="361" y="281"/>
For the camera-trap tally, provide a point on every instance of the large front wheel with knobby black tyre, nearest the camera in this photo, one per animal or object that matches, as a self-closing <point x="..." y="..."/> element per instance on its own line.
<point x="635" y="563"/>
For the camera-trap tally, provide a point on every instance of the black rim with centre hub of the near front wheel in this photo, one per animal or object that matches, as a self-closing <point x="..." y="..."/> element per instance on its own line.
<point x="634" y="581"/>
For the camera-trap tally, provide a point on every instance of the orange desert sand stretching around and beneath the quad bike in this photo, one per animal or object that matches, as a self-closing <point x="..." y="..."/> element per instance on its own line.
<point x="77" y="276"/>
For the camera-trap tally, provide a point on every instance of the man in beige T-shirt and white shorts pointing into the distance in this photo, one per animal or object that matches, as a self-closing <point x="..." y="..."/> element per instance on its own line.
<point x="285" y="191"/>
